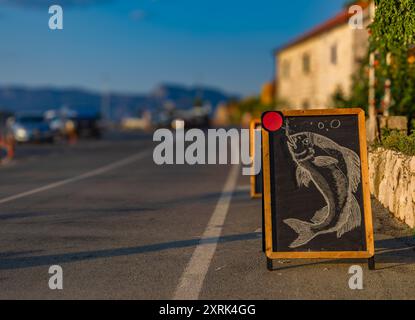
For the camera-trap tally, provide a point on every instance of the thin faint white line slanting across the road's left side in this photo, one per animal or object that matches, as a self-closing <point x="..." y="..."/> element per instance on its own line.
<point x="90" y="174"/>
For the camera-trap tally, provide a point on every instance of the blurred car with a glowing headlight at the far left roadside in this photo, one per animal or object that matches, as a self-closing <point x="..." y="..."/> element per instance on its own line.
<point x="30" y="128"/>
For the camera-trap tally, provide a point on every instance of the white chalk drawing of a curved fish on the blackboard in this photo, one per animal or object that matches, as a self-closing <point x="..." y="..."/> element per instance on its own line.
<point x="335" y="171"/>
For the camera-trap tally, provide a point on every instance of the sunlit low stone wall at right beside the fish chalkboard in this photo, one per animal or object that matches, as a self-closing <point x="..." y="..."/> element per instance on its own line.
<point x="392" y="182"/>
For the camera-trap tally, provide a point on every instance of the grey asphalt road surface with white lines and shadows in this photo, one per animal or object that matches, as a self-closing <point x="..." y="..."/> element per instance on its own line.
<point x="122" y="227"/>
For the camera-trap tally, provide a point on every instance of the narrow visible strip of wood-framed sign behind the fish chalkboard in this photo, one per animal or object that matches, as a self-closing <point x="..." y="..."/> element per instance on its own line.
<point x="255" y="142"/>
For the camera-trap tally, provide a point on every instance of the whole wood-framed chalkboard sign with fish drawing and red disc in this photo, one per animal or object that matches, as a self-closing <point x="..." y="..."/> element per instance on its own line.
<point x="316" y="191"/>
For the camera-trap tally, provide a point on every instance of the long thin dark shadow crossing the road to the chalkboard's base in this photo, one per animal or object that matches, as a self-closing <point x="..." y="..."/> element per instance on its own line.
<point x="48" y="260"/>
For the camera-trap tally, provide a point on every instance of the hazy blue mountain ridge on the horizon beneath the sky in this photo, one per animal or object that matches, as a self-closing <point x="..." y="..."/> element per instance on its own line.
<point x="18" y="99"/>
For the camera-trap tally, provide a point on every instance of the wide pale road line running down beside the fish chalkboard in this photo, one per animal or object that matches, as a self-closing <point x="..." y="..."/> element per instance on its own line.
<point x="192" y="279"/>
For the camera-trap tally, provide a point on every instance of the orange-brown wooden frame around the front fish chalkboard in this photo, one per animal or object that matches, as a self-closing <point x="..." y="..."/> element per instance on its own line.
<point x="370" y="248"/>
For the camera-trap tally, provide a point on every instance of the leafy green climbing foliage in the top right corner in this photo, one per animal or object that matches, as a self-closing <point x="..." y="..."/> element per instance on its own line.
<point x="393" y="32"/>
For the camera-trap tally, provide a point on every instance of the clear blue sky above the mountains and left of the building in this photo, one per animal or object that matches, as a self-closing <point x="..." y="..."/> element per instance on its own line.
<point x="133" y="45"/>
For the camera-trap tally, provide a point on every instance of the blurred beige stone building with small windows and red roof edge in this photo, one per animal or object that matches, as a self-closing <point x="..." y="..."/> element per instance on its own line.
<point x="312" y="67"/>
